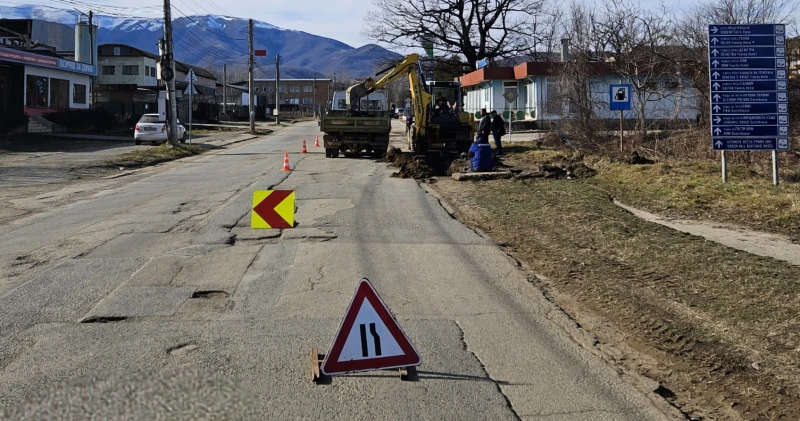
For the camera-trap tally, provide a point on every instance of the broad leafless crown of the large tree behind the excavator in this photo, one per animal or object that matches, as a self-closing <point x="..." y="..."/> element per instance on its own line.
<point x="472" y="29"/>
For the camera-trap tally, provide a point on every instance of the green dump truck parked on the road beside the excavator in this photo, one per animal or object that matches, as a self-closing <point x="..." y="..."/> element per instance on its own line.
<point x="354" y="133"/>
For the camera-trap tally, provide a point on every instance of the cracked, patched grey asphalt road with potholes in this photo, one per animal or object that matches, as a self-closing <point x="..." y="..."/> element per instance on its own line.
<point x="155" y="300"/>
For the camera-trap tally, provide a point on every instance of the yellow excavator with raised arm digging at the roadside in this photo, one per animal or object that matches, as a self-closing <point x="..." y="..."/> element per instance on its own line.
<point x="442" y="125"/>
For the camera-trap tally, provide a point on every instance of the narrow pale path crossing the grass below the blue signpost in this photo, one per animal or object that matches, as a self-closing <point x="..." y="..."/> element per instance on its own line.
<point x="759" y="243"/>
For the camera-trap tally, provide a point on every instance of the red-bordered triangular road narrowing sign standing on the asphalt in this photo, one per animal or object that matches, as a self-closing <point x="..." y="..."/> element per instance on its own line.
<point x="369" y="338"/>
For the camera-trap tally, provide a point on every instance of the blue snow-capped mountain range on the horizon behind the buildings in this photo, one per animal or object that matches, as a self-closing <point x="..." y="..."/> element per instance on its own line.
<point x="212" y="40"/>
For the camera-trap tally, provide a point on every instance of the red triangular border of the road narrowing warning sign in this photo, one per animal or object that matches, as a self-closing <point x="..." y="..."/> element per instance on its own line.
<point x="331" y="364"/>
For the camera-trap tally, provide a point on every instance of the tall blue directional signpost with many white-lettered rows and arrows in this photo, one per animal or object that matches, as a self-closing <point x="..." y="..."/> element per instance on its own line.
<point x="749" y="99"/>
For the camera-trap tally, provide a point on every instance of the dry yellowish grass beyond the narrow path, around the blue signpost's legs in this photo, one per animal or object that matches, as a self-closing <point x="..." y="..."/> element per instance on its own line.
<point x="692" y="189"/>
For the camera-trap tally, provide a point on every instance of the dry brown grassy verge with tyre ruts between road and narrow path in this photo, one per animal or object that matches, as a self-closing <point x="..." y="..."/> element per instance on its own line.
<point x="719" y="327"/>
